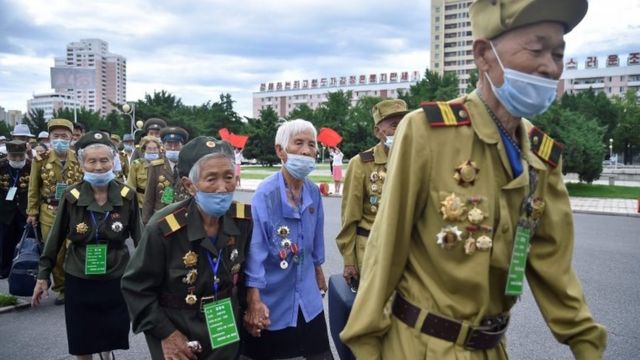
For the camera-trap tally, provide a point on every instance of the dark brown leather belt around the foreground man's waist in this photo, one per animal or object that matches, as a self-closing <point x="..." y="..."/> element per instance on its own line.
<point x="484" y="337"/>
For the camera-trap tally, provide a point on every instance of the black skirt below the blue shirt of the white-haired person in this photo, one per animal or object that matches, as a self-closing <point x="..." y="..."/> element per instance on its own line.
<point x="306" y="339"/>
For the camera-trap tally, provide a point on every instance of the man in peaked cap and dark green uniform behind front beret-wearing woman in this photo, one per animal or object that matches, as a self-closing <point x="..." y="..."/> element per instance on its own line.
<point x="163" y="183"/>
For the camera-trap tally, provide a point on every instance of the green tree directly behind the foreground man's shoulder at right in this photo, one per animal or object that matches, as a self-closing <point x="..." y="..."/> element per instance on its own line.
<point x="583" y="152"/>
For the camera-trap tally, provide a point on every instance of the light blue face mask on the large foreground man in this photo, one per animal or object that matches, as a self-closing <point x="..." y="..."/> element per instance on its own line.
<point x="522" y="94"/>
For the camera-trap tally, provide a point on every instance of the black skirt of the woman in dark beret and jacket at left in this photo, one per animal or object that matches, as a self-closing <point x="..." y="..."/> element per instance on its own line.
<point x="96" y="316"/>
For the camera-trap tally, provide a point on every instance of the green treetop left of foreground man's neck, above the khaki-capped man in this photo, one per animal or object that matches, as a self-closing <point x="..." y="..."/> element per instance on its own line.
<point x="432" y="87"/>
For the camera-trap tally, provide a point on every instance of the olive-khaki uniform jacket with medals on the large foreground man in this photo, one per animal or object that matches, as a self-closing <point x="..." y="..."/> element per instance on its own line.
<point x="418" y="247"/>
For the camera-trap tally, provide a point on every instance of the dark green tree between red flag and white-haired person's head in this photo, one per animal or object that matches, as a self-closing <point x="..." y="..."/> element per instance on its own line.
<point x="262" y="134"/>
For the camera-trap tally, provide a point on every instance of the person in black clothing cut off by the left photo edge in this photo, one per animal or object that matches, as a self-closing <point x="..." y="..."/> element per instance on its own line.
<point x="14" y="186"/>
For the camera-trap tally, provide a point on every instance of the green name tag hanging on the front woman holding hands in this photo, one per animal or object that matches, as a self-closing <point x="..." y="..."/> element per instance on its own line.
<point x="221" y="323"/>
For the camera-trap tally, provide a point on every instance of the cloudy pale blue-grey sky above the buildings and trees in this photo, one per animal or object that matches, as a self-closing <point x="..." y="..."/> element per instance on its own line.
<point x="198" y="49"/>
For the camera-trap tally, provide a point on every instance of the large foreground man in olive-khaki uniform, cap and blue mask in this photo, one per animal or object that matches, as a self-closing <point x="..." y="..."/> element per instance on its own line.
<point x="475" y="203"/>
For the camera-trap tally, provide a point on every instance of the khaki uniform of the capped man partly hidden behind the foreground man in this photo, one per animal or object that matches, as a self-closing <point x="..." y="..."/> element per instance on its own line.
<point x="360" y="202"/>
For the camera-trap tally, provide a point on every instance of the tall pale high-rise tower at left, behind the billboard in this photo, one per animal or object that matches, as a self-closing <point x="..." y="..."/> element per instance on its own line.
<point x="110" y="74"/>
